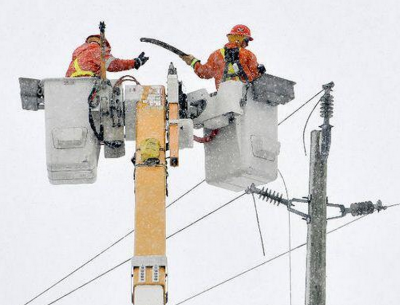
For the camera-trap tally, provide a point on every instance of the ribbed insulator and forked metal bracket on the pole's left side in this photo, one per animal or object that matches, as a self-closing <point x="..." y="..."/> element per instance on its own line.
<point x="277" y="198"/>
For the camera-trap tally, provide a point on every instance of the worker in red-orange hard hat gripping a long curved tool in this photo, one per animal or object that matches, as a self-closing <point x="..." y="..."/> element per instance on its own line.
<point x="232" y="62"/>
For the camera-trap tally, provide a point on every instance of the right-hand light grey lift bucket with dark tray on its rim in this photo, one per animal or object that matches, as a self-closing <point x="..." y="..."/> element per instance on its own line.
<point x="246" y="150"/>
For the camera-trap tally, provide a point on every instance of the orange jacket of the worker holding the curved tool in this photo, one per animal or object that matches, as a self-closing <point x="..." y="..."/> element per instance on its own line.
<point x="215" y="65"/>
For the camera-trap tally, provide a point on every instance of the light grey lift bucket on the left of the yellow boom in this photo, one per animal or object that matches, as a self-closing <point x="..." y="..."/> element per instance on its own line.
<point x="72" y="150"/>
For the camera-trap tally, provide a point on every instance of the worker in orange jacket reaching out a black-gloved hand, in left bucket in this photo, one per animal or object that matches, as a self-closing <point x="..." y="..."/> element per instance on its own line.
<point x="86" y="59"/>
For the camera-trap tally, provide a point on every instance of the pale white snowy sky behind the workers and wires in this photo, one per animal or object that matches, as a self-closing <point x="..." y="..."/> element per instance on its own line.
<point x="45" y="230"/>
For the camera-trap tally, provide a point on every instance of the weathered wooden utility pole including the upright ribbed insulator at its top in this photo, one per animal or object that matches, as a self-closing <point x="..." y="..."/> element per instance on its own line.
<point x="316" y="234"/>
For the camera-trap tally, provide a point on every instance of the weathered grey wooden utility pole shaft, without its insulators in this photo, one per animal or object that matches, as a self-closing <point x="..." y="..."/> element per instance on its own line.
<point x="316" y="235"/>
